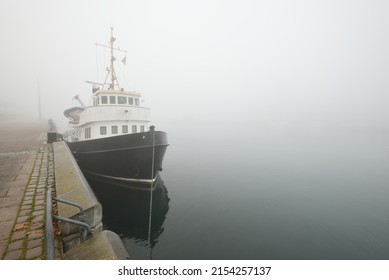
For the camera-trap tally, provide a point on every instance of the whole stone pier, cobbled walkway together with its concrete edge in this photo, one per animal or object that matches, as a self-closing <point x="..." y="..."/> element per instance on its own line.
<point x="30" y="167"/>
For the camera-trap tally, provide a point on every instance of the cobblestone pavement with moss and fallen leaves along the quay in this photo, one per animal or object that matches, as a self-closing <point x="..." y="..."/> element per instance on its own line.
<point x="26" y="171"/>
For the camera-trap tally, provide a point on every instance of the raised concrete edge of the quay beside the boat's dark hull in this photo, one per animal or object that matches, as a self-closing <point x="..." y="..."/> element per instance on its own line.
<point x="71" y="185"/>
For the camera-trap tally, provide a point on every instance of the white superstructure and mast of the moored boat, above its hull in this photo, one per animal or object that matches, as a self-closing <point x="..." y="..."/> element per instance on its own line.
<point x="113" y="111"/>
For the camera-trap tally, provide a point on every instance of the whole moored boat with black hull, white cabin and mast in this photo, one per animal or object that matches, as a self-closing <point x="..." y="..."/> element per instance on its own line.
<point x="112" y="139"/>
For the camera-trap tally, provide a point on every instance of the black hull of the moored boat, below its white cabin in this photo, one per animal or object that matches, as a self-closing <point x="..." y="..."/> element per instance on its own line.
<point x="124" y="159"/>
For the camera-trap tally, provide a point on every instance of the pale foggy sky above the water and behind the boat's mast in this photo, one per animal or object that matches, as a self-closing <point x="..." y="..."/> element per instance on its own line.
<point x="265" y="63"/>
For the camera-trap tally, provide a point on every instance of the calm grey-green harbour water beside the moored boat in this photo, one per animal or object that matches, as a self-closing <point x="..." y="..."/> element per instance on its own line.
<point x="264" y="194"/>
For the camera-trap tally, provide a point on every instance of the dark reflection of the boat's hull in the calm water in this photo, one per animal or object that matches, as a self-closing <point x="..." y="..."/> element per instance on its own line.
<point x="126" y="212"/>
